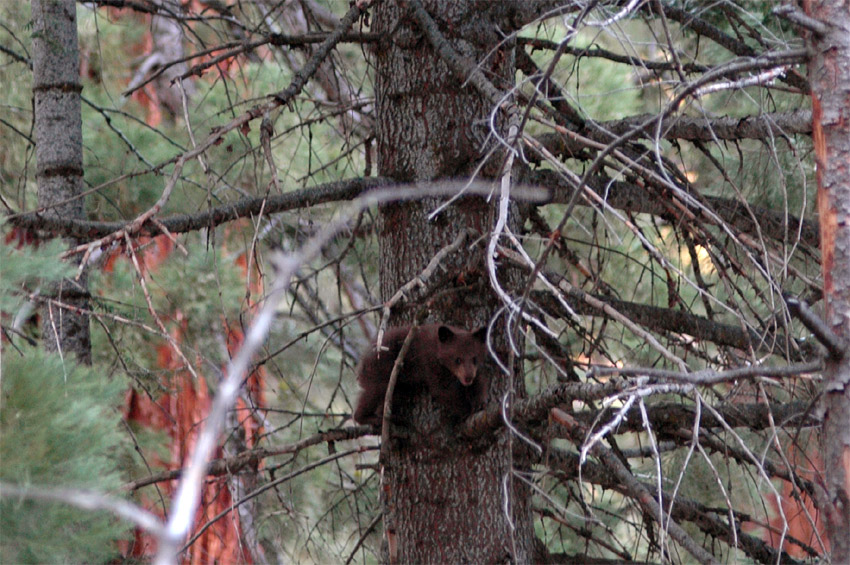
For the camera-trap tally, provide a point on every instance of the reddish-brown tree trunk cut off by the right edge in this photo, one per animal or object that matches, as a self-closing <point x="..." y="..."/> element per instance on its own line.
<point x="829" y="75"/>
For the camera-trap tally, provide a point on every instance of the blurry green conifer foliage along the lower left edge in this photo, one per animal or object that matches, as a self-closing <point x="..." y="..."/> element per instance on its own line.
<point x="59" y="427"/>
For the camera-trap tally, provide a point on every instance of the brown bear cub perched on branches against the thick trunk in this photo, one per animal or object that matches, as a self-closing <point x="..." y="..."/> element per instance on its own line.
<point x="442" y="359"/>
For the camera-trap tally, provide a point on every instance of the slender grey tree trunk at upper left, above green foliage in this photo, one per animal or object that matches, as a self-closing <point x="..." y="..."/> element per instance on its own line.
<point x="59" y="156"/>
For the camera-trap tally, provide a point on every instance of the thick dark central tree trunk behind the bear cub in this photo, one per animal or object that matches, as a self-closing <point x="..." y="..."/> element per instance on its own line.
<point x="445" y="498"/>
